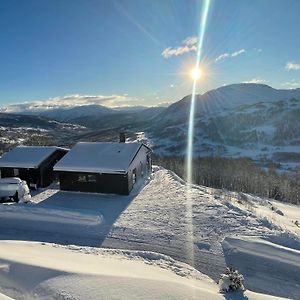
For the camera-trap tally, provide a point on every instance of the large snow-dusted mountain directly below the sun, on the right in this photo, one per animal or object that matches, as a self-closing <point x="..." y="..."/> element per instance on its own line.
<point x="249" y="120"/>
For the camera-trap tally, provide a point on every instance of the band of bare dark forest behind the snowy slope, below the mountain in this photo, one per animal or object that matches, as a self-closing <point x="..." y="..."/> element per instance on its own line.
<point x="237" y="174"/>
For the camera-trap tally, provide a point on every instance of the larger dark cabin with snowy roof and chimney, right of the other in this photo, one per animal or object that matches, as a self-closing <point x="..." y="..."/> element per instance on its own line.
<point x="104" y="167"/>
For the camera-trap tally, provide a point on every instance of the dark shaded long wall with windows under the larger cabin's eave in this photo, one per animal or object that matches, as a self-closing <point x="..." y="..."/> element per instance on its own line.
<point x="94" y="182"/>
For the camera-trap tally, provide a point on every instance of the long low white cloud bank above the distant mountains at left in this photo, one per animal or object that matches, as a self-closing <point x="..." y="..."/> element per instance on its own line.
<point x="70" y="101"/>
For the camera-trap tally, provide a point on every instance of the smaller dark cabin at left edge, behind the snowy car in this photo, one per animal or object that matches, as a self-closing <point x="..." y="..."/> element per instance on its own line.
<point x="34" y="164"/>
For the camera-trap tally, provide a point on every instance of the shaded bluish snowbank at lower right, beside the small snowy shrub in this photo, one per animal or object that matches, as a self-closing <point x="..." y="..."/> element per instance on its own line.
<point x="267" y="267"/>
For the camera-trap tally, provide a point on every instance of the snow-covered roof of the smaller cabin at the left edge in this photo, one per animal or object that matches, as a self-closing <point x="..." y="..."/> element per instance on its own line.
<point x="27" y="156"/>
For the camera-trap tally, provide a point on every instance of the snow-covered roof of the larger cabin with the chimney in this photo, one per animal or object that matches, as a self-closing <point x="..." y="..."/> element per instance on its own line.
<point x="99" y="157"/>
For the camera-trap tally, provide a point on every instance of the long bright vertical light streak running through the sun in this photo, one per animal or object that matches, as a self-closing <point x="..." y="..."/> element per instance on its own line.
<point x="196" y="74"/>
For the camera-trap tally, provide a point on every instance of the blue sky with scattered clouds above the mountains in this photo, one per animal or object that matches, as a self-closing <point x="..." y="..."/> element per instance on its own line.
<point x="140" y="52"/>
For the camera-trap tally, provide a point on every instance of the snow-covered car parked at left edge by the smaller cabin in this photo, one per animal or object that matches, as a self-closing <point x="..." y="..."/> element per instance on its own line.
<point x="14" y="188"/>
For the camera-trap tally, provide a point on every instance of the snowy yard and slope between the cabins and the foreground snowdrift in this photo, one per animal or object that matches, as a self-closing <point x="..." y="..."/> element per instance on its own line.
<point x="157" y="218"/>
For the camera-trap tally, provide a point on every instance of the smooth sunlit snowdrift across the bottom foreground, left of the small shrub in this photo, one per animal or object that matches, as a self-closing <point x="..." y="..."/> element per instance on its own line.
<point x="33" y="271"/>
